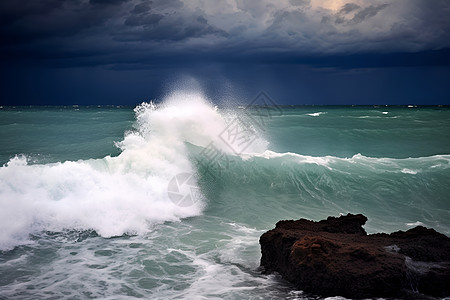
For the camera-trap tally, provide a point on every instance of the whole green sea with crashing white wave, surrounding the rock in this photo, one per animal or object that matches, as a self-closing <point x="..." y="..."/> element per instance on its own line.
<point x="168" y="201"/>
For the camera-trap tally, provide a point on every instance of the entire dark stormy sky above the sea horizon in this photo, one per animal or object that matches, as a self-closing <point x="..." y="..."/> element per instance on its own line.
<point x="62" y="52"/>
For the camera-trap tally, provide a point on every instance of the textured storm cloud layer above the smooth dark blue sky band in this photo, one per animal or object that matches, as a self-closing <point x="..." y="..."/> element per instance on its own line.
<point x="141" y="32"/>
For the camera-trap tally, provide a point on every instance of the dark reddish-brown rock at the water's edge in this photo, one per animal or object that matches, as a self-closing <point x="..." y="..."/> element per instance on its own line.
<point x="336" y="257"/>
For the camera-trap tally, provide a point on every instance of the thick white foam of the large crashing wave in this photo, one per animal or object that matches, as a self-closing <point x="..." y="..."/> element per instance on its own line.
<point x="114" y="195"/>
